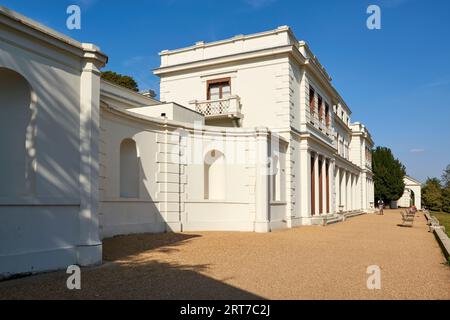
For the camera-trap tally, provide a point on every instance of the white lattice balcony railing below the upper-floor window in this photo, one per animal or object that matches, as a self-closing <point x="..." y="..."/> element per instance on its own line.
<point x="229" y="107"/>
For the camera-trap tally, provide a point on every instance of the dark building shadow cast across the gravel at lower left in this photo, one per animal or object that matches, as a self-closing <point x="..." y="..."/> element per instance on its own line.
<point x="126" y="274"/>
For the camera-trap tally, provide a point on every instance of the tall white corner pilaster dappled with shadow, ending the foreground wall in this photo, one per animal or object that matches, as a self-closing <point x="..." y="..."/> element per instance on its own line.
<point x="89" y="249"/>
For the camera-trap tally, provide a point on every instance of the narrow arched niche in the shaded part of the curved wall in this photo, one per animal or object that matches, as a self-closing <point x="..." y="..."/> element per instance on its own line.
<point x="129" y="169"/>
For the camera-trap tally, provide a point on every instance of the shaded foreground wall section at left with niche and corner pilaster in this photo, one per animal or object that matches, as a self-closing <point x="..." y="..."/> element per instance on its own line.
<point x="49" y="99"/>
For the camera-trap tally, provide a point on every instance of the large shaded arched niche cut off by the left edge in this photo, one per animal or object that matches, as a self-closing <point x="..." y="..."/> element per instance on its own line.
<point x="16" y="135"/>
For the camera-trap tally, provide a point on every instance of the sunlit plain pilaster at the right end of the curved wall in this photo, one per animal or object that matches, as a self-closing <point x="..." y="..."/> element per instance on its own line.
<point x="262" y="181"/>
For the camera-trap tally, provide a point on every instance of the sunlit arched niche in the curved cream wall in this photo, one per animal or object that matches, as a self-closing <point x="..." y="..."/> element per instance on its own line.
<point x="215" y="175"/>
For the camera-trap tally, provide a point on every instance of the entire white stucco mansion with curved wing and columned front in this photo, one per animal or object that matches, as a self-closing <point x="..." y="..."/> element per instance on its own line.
<point x="249" y="135"/>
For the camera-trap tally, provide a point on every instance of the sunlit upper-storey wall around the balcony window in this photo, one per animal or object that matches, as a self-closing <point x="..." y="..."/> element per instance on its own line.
<point x="261" y="86"/>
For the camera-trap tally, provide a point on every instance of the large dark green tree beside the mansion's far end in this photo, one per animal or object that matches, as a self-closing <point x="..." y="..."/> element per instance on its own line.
<point x="388" y="175"/>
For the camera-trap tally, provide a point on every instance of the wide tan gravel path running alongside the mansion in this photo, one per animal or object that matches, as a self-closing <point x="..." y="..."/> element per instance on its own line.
<point x="303" y="263"/>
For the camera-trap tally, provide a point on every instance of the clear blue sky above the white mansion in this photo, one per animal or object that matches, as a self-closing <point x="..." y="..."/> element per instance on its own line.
<point x="396" y="80"/>
